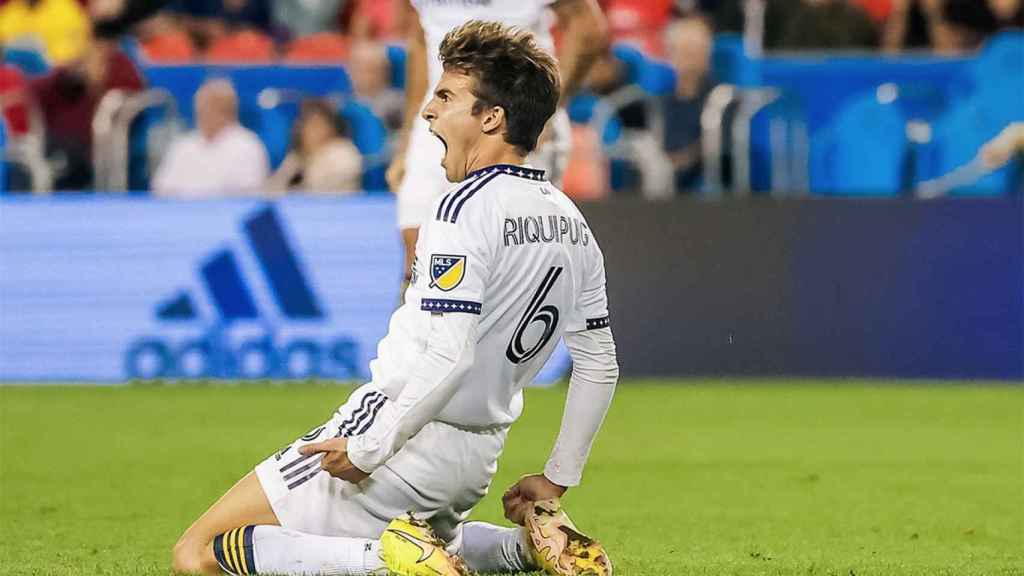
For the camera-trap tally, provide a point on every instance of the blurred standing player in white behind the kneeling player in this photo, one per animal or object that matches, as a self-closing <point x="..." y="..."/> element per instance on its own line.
<point x="414" y="174"/>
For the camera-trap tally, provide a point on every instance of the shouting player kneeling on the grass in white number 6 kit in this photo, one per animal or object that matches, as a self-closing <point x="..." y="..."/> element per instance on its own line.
<point x="504" y="268"/>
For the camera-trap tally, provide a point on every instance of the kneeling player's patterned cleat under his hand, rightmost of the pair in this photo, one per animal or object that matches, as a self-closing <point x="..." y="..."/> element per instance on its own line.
<point x="559" y="548"/>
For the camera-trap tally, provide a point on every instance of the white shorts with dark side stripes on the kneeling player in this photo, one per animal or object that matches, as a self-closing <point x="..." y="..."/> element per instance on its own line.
<point x="440" y="475"/>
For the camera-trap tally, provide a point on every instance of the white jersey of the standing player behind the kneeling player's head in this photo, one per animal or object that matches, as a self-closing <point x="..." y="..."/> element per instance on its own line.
<point x="440" y="17"/>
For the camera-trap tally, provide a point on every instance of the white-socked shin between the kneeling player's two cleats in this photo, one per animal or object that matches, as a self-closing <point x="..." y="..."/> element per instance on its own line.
<point x="489" y="549"/>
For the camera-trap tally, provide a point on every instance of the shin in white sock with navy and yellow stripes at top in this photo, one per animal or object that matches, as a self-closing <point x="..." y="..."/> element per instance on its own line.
<point x="272" y="550"/>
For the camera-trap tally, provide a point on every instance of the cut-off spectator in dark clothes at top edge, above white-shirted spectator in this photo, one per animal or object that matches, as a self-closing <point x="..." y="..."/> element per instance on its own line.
<point x="207" y="21"/>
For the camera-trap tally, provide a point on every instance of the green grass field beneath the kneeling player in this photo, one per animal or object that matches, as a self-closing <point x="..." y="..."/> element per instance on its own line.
<point x="842" y="479"/>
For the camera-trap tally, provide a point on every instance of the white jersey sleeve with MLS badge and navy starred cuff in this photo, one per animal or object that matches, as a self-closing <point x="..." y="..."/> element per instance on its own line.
<point x="456" y="257"/>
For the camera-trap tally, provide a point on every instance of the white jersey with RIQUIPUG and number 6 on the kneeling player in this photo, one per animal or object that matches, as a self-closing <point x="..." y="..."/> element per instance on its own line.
<point x="505" y="246"/>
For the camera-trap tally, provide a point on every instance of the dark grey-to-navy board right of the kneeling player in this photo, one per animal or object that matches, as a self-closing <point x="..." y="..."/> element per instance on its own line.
<point x="817" y="287"/>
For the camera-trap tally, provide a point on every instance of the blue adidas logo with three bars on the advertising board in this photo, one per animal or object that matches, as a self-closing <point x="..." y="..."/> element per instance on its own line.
<point x="238" y="341"/>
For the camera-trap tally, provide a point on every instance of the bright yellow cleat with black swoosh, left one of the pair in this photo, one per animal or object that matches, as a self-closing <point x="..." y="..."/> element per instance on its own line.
<point x="410" y="548"/>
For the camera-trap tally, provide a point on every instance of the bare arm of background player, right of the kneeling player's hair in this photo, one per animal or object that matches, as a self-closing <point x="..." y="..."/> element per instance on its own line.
<point x="585" y="37"/>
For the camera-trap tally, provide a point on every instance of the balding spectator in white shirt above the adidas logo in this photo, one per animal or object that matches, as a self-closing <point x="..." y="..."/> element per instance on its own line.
<point x="220" y="158"/>
